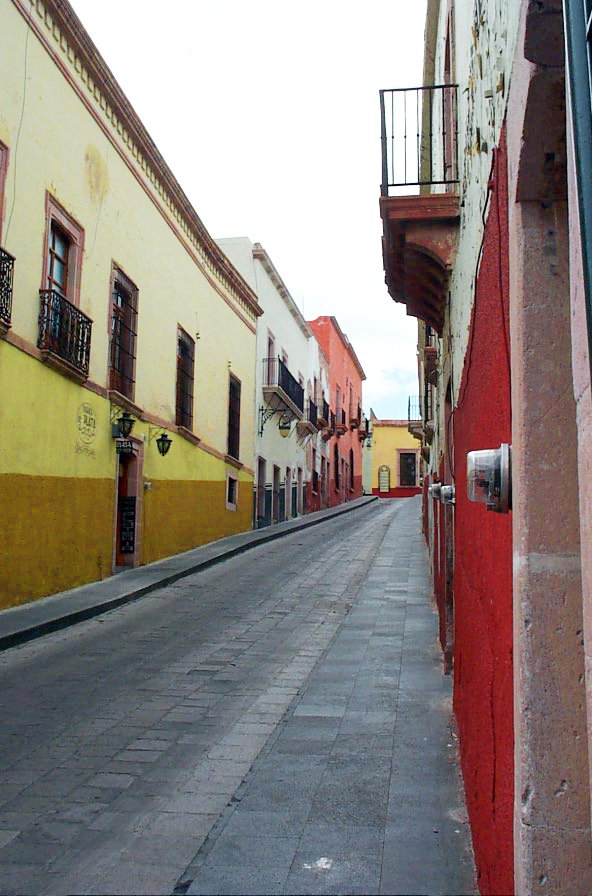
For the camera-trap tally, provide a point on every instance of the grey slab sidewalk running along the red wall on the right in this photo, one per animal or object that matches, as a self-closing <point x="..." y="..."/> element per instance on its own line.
<point x="358" y="791"/>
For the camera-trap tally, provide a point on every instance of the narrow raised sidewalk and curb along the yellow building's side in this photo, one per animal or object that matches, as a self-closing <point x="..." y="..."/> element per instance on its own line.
<point x="48" y="614"/>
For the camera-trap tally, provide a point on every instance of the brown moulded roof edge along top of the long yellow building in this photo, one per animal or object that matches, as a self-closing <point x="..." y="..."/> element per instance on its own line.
<point x="94" y="73"/>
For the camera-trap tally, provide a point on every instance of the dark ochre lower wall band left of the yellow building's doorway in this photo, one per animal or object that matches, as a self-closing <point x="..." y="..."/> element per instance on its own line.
<point x="57" y="534"/>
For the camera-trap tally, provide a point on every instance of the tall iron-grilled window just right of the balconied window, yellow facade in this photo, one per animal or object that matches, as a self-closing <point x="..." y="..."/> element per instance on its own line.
<point x="124" y="313"/>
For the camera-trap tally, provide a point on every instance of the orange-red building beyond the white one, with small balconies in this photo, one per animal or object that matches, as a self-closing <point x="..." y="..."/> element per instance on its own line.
<point x="344" y="472"/>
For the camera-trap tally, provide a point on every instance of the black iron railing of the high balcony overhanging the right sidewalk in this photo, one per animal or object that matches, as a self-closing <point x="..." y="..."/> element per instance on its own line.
<point x="419" y="135"/>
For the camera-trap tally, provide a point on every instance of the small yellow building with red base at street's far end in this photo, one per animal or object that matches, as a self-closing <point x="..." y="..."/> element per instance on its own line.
<point x="395" y="460"/>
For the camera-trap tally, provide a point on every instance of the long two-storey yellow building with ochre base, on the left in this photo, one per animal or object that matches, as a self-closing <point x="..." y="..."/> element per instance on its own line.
<point x="113" y="299"/>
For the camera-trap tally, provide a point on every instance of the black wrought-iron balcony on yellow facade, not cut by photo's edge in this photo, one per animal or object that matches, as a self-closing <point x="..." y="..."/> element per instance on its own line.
<point x="64" y="335"/>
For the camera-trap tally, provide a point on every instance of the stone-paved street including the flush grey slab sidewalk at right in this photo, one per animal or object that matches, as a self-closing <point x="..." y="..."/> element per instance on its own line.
<point x="278" y="723"/>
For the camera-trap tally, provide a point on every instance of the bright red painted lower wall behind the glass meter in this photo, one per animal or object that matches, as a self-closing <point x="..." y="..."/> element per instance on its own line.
<point x="483" y="690"/>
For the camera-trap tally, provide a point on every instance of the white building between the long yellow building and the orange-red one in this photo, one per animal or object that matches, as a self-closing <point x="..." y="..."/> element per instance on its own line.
<point x="291" y="379"/>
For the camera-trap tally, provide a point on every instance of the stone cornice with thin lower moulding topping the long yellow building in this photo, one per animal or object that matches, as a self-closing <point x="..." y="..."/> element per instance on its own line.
<point x="61" y="31"/>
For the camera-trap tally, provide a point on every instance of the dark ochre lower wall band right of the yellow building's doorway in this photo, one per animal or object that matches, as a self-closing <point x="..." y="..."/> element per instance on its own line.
<point x="178" y="516"/>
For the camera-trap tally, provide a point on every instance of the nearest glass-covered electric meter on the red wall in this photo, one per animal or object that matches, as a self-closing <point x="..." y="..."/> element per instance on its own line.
<point x="489" y="478"/>
